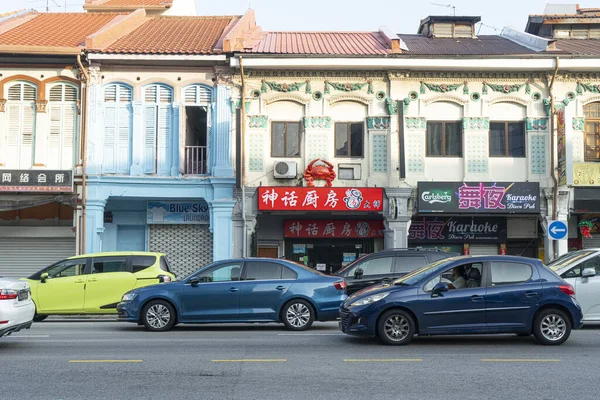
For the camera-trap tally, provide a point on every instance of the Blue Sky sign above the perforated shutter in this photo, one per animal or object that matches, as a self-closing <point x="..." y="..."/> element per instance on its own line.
<point x="178" y="212"/>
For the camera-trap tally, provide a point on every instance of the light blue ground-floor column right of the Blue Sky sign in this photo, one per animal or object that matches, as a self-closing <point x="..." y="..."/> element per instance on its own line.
<point x="221" y="227"/>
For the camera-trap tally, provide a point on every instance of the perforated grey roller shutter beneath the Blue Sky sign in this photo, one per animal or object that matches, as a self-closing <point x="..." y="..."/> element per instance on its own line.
<point x="188" y="247"/>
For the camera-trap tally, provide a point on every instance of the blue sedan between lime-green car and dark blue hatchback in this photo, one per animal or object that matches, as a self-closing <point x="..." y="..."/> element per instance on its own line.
<point x="241" y="290"/>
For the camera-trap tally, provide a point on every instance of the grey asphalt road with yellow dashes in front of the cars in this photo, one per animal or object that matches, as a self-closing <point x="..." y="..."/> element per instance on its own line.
<point x="112" y="360"/>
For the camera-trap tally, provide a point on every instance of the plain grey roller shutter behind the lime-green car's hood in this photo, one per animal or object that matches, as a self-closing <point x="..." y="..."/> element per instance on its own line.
<point x="21" y="257"/>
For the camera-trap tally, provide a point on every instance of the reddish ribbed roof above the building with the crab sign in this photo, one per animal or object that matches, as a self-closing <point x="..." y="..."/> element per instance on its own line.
<point x="326" y="43"/>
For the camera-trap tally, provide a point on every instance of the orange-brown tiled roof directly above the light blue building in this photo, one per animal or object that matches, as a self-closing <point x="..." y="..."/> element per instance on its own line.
<point x="173" y="35"/>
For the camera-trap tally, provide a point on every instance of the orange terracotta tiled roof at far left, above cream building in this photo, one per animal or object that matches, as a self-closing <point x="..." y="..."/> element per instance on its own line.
<point x="56" y="29"/>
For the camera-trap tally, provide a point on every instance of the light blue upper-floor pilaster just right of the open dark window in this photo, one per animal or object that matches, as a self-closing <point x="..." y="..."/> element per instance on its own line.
<point x="222" y="165"/>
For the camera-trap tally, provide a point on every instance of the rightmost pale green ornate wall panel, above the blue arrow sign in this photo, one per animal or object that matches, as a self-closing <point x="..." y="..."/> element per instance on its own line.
<point x="538" y="145"/>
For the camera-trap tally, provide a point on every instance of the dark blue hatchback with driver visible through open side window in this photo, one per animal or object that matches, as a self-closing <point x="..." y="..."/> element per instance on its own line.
<point x="467" y="295"/>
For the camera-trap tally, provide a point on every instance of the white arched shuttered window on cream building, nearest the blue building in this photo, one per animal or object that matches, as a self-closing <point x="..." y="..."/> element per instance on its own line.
<point x="63" y="126"/>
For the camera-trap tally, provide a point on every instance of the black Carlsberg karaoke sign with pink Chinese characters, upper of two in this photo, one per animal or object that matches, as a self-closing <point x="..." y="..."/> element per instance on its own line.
<point x="479" y="197"/>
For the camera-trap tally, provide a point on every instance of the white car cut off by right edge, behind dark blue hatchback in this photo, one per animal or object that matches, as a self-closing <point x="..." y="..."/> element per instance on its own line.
<point x="581" y="269"/>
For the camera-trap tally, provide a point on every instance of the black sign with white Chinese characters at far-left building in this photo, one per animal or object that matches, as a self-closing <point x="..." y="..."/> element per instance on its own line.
<point x="36" y="181"/>
